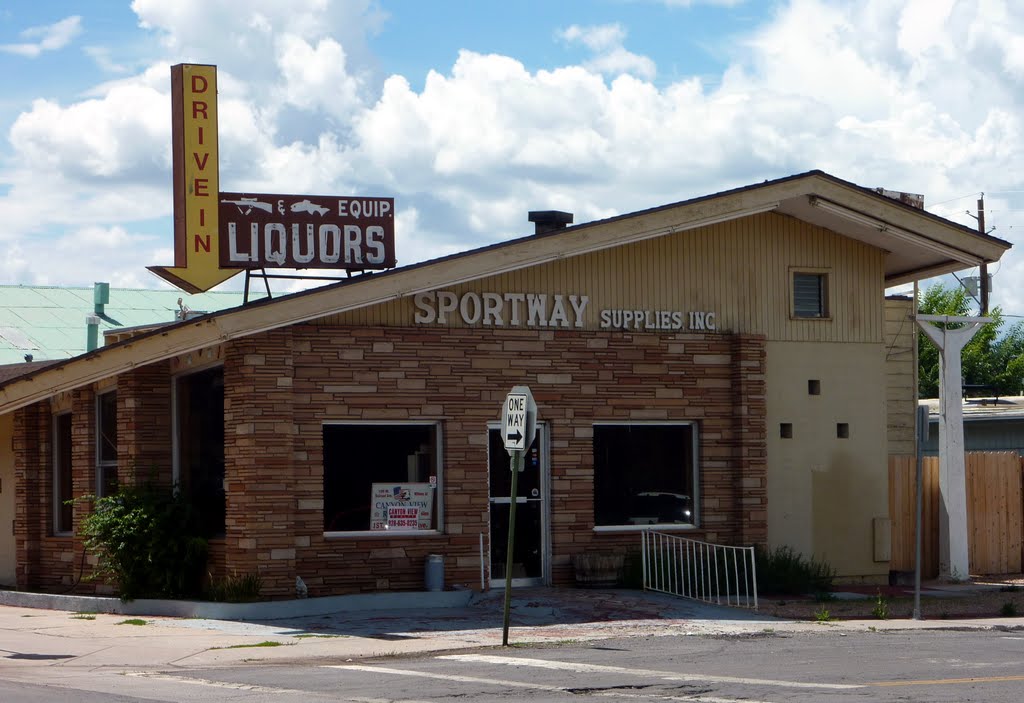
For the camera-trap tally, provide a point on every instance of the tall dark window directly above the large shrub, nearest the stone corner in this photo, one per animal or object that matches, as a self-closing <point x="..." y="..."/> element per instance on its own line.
<point x="201" y="446"/>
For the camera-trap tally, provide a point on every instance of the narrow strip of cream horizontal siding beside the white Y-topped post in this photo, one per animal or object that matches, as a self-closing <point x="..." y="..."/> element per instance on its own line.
<point x="902" y="387"/>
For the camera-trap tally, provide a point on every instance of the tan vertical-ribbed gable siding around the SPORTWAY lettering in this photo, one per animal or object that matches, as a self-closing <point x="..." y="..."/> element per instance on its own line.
<point x="741" y="271"/>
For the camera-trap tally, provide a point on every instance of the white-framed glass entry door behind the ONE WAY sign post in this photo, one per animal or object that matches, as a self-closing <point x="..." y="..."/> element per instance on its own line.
<point x="530" y="561"/>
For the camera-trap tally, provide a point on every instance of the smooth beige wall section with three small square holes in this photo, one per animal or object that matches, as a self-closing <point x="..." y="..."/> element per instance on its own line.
<point x="824" y="492"/>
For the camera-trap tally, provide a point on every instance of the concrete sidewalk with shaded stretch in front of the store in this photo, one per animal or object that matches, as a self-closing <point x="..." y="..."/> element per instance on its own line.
<point x="35" y="637"/>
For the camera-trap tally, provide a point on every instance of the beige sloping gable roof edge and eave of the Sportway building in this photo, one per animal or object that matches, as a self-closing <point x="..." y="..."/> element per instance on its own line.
<point x="919" y="245"/>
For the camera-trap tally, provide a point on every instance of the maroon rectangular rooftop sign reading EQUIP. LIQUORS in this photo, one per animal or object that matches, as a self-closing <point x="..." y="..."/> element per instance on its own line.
<point x="262" y="231"/>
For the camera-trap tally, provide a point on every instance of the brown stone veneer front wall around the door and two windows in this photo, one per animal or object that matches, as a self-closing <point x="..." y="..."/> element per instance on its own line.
<point x="282" y="386"/>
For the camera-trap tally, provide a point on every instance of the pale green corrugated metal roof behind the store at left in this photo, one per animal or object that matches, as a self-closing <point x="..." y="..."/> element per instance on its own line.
<point x="50" y="322"/>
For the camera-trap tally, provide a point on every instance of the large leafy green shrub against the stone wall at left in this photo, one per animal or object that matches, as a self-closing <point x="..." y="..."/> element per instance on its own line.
<point x="147" y="541"/>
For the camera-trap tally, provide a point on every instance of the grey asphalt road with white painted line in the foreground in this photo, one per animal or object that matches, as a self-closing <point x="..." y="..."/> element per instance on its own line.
<point x="919" y="666"/>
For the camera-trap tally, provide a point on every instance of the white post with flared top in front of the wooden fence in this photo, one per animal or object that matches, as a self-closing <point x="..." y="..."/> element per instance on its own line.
<point x="954" y="557"/>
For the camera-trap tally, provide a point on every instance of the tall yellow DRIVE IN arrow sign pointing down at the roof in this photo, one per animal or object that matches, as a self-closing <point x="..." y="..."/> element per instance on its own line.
<point x="197" y="186"/>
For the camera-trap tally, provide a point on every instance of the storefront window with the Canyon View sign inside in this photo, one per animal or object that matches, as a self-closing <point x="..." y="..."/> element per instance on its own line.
<point x="381" y="478"/>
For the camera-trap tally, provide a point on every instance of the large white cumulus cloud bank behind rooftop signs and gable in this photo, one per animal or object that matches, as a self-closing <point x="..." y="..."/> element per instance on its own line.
<point x="923" y="96"/>
